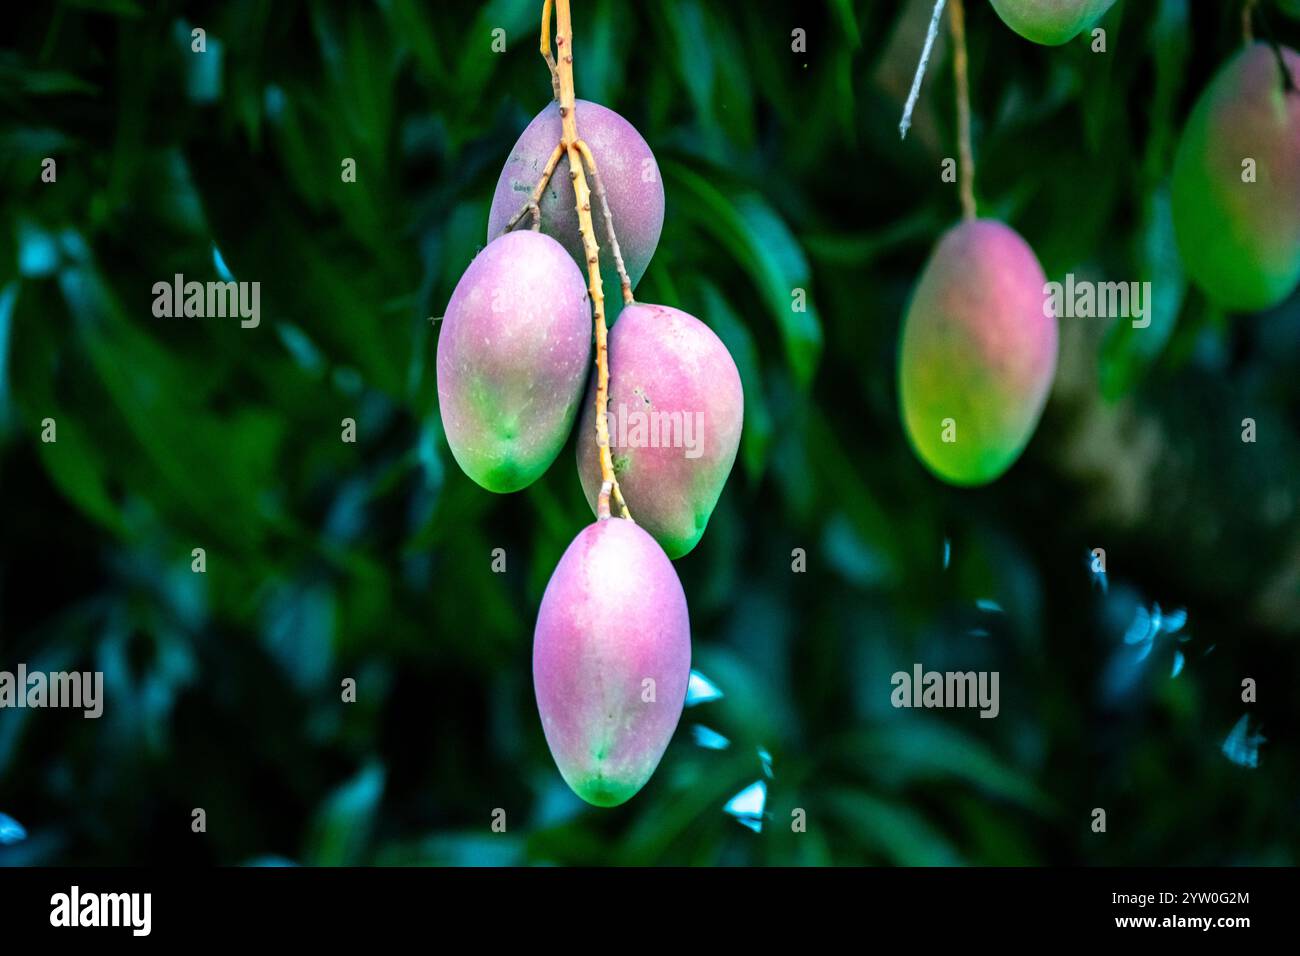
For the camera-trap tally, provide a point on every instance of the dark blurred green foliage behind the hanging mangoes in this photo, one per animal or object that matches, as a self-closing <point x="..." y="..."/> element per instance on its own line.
<point x="326" y="560"/>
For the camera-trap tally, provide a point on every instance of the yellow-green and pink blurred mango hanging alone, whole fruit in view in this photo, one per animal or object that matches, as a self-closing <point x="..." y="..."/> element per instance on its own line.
<point x="980" y="347"/>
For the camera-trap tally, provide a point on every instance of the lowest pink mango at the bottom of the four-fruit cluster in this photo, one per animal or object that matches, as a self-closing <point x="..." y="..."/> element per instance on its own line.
<point x="614" y="616"/>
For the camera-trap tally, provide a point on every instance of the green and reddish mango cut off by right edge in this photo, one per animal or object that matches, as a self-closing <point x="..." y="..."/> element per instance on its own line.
<point x="1241" y="241"/>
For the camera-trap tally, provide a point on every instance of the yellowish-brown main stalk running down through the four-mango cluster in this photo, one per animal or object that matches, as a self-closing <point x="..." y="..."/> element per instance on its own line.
<point x="574" y="146"/>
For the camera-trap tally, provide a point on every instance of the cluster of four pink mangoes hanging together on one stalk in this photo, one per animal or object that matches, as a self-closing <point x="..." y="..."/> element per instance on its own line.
<point x="612" y="650"/>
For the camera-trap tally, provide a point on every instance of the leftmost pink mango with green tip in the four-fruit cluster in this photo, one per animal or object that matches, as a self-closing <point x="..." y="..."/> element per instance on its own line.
<point x="513" y="358"/>
